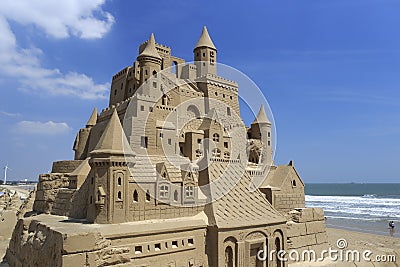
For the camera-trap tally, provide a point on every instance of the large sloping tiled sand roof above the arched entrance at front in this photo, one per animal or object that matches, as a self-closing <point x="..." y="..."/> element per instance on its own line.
<point x="239" y="207"/>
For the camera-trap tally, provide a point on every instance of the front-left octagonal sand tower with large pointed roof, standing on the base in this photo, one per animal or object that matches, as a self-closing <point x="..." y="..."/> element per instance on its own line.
<point x="108" y="186"/>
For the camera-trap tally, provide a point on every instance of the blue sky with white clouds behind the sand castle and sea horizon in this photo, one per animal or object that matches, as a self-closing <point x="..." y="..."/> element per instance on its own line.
<point x="329" y="69"/>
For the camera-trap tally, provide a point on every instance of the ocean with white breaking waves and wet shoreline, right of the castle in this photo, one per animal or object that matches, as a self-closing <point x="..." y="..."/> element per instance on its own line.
<point x="358" y="207"/>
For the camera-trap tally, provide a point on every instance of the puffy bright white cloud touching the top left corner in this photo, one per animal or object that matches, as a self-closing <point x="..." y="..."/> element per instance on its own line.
<point x="61" y="19"/>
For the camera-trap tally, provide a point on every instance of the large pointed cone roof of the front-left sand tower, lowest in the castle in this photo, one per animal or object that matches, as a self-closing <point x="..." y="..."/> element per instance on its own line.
<point x="113" y="141"/>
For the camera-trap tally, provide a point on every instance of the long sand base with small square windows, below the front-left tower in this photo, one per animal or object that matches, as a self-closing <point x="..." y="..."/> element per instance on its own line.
<point x="49" y="240"/>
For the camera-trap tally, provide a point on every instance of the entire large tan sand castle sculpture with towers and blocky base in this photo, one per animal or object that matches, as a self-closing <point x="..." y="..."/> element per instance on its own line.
<point x="150" y="188"/>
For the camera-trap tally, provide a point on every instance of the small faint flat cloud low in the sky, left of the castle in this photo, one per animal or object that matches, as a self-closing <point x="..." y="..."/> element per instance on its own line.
<point x="42" y="128"/>
